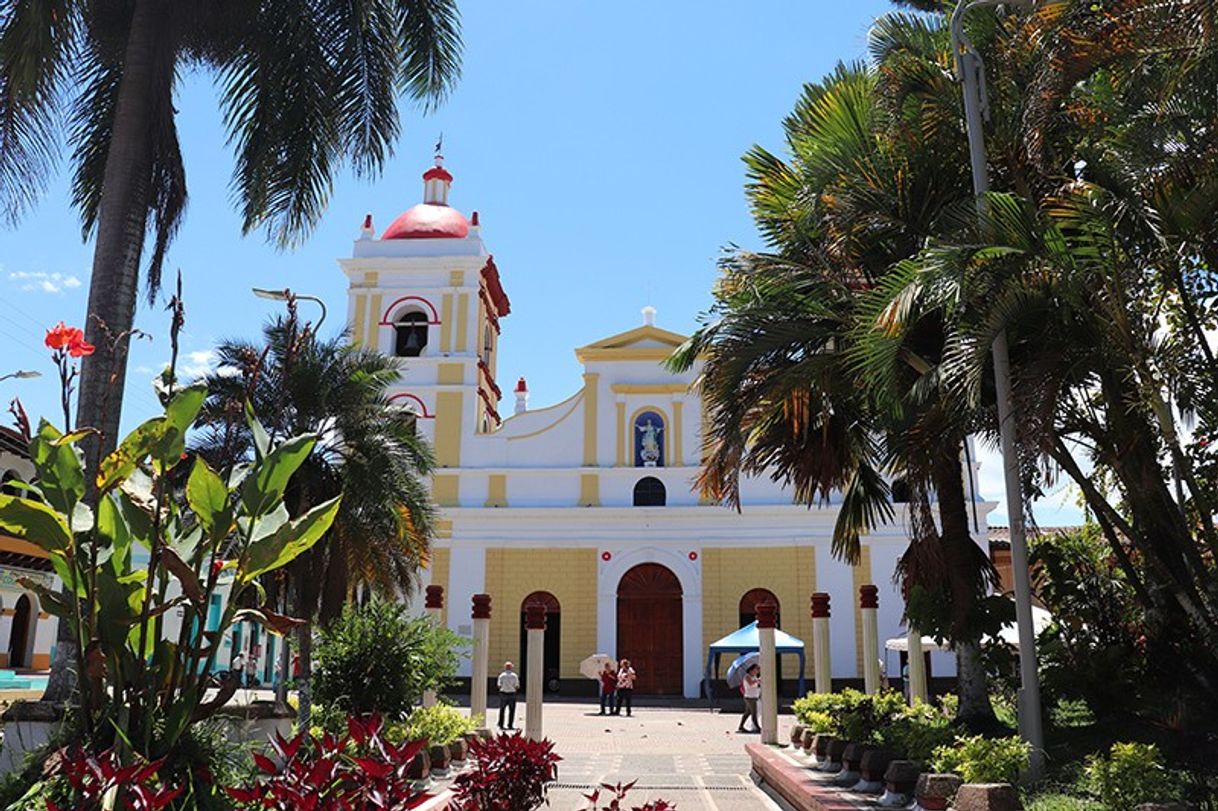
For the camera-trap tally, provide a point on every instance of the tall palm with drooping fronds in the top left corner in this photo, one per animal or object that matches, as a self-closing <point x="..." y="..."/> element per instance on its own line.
<point x="306" y="87"/>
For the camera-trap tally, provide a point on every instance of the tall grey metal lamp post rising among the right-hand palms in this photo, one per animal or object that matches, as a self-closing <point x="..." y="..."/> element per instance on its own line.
<point x="971" y="72"/>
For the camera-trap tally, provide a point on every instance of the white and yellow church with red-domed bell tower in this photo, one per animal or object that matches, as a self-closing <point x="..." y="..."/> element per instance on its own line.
<point x="588" y="505"/>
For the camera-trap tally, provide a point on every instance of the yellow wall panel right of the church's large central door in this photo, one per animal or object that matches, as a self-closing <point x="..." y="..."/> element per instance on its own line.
<point x="790" y="573"/>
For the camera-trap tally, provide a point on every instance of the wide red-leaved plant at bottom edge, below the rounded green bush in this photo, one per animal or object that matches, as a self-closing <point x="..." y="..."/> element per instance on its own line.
<point x="362" y="771"/>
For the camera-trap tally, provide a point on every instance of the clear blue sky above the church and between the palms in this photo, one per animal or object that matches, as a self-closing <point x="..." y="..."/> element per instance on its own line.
<point x="601" y="144"/>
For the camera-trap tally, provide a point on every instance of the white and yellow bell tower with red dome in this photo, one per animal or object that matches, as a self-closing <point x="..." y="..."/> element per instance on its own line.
<point x="428" y="293"/>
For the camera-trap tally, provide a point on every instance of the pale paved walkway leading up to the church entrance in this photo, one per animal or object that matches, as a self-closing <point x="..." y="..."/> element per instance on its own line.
<point x="691" y="758"/>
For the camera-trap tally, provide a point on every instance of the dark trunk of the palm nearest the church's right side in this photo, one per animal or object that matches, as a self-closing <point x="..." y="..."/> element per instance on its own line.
<point x="964" y="563"/>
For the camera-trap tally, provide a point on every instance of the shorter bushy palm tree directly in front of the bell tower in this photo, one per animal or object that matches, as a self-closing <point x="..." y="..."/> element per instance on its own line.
<point x="368" y="452"/>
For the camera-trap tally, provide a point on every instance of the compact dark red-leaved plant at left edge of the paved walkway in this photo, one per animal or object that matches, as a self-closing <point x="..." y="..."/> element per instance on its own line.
<point x="511" y="774"/>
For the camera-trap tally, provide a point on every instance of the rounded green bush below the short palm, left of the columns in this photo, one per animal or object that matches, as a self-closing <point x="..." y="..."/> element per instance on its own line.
<point x="376" y="659"/>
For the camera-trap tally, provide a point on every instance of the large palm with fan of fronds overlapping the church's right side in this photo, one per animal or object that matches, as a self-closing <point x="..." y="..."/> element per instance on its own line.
<point x="797" y="384"/>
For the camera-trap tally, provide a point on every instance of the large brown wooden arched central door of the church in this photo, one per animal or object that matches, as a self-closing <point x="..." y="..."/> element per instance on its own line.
<point x="650" y="629"/>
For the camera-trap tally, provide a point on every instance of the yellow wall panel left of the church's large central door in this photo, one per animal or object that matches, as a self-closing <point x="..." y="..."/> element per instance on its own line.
<point x="571" y="575"/>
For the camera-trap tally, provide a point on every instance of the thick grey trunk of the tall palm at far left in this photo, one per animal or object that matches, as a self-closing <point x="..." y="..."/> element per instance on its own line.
<point x="114" y="287"/>
